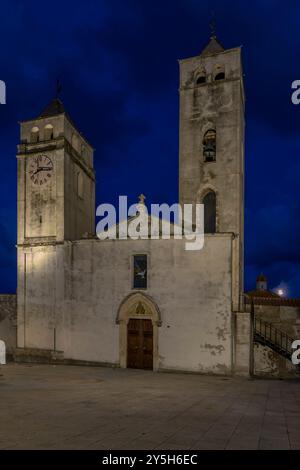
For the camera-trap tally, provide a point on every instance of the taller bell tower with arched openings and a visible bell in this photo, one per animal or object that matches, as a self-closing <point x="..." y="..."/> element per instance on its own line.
<point x="211" y="153"/>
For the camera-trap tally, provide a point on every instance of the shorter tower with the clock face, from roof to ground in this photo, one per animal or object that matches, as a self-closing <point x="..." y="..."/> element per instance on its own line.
<point x="56" y="207"/>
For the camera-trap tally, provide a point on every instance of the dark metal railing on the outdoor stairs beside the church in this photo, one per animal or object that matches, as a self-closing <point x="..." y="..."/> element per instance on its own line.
<point x="267" y="334"/>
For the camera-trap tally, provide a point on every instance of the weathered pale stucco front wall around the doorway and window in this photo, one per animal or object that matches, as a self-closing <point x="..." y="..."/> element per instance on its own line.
<point x="73" y="292"/>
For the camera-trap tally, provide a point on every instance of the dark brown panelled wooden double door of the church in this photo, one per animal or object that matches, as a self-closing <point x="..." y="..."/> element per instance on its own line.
<point x="139" y="344"/>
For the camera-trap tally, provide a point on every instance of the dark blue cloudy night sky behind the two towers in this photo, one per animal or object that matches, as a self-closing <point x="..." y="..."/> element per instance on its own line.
<point x="117" y="61"/>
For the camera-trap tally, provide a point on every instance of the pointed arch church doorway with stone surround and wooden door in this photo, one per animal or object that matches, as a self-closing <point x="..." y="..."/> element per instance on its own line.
<point x="138" y="318"/>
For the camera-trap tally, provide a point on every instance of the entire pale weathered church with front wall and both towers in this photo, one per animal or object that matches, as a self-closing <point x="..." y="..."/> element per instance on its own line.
<point x="137" y="303"/>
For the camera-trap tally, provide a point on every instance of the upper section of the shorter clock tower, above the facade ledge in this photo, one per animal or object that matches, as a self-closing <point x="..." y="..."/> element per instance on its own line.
<point x="56" y="182"/>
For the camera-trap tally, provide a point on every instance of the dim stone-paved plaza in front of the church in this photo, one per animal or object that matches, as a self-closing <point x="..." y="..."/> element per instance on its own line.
<point x="71" y="407"/>
